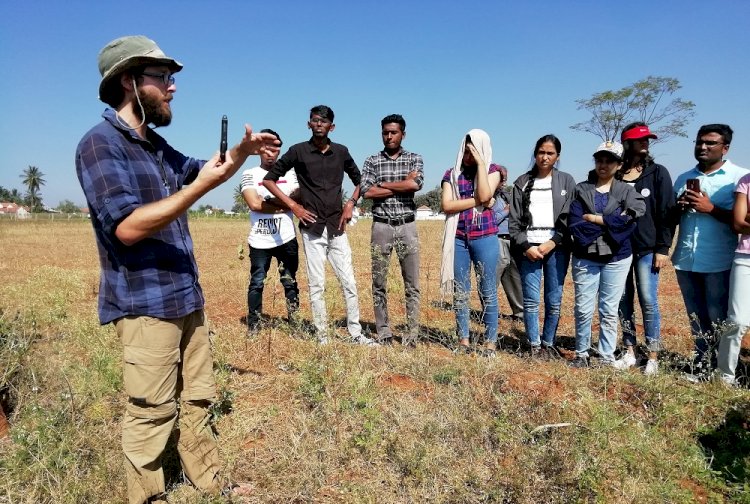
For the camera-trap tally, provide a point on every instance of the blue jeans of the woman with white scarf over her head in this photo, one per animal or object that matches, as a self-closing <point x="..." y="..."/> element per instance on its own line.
<point x="483" y="253"/>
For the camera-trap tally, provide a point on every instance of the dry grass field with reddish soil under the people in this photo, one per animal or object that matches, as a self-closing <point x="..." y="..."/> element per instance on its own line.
<point x="343" y="423"/>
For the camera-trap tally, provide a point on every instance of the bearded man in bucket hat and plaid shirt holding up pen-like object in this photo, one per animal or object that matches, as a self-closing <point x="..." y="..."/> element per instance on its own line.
<point x="138" y="189"/>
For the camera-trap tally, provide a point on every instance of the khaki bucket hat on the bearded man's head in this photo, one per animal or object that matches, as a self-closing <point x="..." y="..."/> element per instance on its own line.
<point x="129" y="52"/>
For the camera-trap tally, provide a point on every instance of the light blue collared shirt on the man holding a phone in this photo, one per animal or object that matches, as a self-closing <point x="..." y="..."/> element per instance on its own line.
<point x="705" y="244"/>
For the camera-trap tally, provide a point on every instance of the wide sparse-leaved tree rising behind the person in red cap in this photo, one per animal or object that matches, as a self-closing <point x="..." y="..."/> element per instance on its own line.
<point x="650" y="100"/>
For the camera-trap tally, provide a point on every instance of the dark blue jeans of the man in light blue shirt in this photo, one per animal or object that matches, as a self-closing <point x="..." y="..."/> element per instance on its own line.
<point x="706" y="297"/>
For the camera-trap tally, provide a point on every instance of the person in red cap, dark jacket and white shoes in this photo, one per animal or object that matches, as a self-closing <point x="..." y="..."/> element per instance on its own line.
<point x="651" y="241"/>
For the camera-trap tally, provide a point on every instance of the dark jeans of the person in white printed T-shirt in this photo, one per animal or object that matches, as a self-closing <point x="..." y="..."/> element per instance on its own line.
<point x="260" y="260"/>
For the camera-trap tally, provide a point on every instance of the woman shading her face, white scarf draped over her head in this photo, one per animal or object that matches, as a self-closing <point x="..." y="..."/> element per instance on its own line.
<point x="470" y="236"/>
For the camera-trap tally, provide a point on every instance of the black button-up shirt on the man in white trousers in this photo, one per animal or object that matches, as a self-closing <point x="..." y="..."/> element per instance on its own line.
<point x="320" y="175"/>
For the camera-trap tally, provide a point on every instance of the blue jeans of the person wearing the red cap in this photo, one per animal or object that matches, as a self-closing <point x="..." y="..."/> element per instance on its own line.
<point x="646" y="280"/>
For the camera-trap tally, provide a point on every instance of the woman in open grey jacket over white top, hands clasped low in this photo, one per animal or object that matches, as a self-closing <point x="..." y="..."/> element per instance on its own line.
<point x="539" y="236"/>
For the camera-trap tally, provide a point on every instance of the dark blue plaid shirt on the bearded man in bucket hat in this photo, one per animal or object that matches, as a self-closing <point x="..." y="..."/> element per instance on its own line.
<point x="120" y="172"/>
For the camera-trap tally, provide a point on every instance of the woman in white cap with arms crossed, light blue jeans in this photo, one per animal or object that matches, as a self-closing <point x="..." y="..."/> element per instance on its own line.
<point x="602" y="218"/>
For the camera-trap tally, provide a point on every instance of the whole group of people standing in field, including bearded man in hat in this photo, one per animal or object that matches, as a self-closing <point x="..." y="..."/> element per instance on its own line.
<point x="138" y="189"/>
